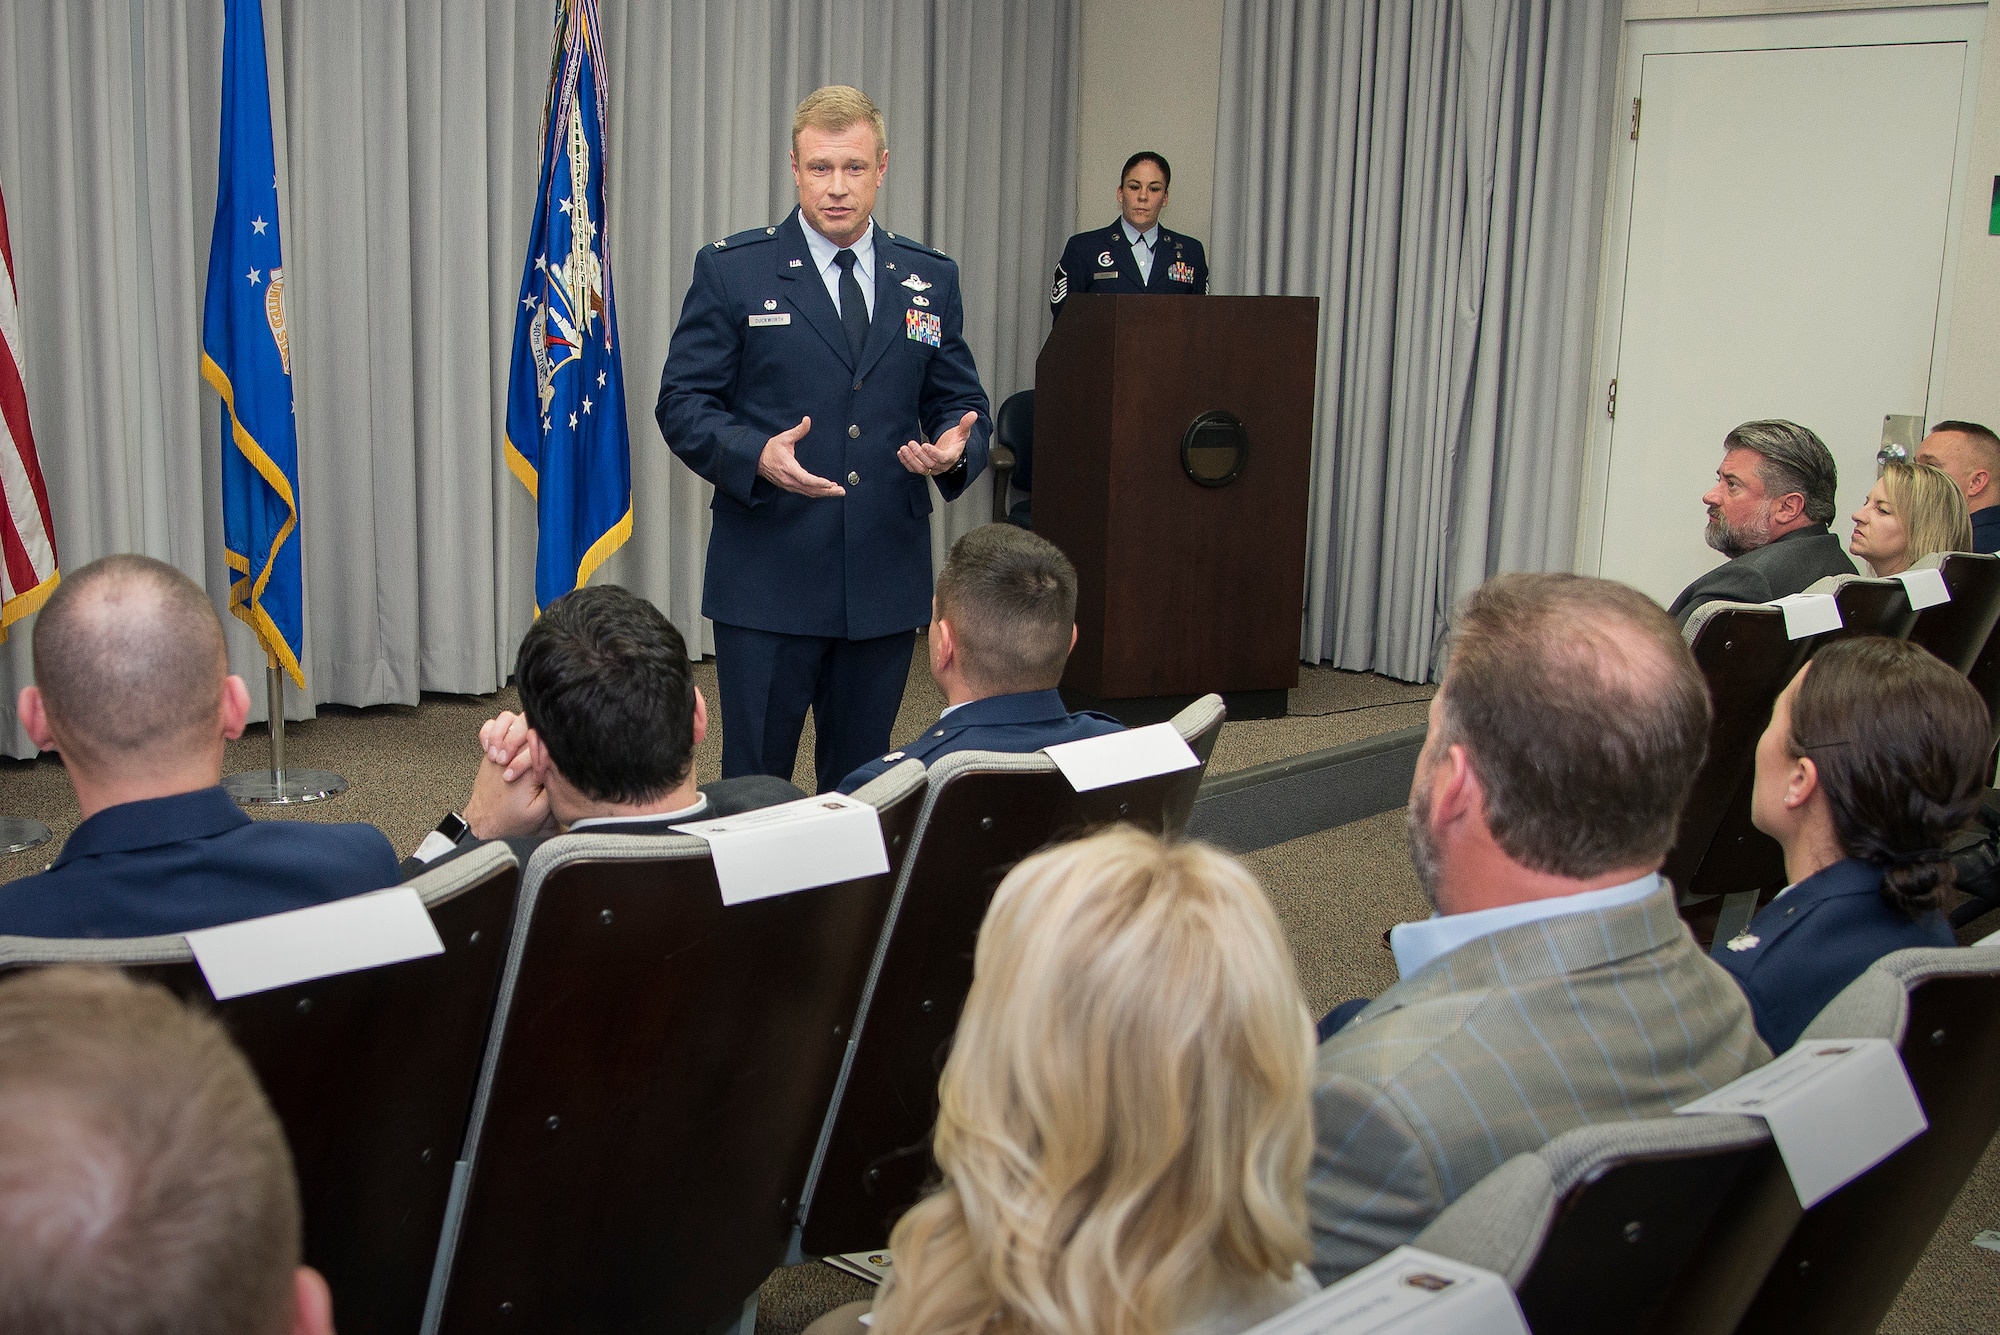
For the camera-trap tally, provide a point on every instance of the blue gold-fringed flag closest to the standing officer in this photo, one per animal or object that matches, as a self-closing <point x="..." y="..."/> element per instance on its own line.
<point x="565" y="405"/>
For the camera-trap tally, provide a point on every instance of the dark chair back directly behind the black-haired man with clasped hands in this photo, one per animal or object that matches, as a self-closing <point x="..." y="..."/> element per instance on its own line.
<point x="659" y="1072"/>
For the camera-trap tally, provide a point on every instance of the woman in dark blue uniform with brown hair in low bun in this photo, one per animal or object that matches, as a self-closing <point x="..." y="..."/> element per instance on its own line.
<point x="1873" y="760"/>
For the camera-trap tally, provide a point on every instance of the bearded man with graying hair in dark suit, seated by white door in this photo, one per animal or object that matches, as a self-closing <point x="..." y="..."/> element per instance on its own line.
<point x="1769" y="515"/>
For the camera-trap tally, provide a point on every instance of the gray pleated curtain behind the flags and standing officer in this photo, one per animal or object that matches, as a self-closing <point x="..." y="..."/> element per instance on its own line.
<point x="407" y="157"/>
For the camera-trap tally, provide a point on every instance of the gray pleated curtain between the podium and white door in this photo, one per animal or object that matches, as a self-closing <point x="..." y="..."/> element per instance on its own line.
<point x="1433" y="171"/>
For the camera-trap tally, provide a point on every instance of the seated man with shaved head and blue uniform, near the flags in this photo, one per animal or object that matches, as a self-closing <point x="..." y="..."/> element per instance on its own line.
<point x="137" y="696"/>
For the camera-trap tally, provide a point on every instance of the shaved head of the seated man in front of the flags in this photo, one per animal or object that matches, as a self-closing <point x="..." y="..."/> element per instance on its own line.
<point x="129" y="659"/>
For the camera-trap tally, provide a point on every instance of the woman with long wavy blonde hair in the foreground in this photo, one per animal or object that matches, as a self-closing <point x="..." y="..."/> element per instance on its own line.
<point x="1125" y="1120"/>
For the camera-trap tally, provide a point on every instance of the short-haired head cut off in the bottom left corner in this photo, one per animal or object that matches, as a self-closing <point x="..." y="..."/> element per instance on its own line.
<point x="145" y="1184"/>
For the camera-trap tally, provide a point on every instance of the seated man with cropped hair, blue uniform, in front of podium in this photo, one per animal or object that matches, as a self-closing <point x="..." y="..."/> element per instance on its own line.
<point x="1001" y="633"/>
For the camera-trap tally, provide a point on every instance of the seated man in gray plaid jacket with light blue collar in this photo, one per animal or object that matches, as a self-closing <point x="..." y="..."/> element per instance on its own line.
<point x="1557" y="986"/>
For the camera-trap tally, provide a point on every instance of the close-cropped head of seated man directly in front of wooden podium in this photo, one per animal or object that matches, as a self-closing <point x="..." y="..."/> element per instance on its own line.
<point x="1011" y="601"/>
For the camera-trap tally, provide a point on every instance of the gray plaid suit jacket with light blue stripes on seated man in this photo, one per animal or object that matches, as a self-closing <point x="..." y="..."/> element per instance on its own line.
<point x="1501" y="1046"/>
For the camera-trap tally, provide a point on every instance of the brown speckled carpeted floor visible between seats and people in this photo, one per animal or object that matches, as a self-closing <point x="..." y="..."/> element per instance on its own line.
<point x="1335" y="894"/>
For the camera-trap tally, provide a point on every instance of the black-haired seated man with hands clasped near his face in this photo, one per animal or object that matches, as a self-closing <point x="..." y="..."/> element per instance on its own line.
<point x="605" y="740"/>
